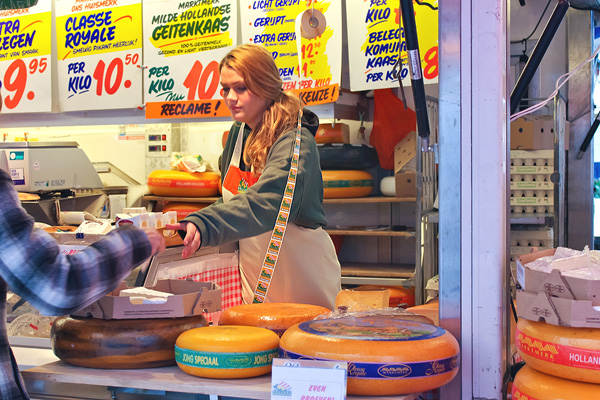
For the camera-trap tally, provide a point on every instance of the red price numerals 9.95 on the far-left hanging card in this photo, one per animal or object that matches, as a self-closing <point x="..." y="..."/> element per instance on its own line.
<point x="20" y="80"/>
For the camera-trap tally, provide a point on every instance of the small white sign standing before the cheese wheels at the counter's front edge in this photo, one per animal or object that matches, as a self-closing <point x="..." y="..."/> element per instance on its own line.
<point x="308" y="379"/>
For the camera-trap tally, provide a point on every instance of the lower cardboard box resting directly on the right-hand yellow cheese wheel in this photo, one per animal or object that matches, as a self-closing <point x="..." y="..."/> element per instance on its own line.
<point x="557" y="311"/>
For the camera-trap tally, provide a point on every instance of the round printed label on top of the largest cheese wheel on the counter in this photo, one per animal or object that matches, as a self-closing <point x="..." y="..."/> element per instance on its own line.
<point x="372" y="328"/>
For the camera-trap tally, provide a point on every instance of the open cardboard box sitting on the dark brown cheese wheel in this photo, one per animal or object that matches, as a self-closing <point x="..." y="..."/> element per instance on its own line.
<point x="191" y="298"/>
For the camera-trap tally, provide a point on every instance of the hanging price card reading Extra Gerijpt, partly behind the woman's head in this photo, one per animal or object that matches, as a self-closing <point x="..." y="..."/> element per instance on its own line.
<point x="308" y="52"/>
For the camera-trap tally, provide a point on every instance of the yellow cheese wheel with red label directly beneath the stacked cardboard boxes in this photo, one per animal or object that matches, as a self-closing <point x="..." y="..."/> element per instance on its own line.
<point x="570" y="353"/>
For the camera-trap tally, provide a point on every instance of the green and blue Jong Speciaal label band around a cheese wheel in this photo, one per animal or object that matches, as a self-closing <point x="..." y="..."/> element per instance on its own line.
<point x="207" y="359"/>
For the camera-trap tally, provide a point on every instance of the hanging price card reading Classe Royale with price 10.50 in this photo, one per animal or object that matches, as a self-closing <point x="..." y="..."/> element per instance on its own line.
<point x="99" y="49"/>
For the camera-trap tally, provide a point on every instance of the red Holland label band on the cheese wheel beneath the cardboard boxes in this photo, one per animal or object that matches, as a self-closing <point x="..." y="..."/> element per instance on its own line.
<point x="557" y="353"/>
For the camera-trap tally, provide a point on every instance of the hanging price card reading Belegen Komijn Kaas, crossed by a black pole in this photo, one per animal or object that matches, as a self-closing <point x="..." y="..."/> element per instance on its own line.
<point x="377" y="46"/>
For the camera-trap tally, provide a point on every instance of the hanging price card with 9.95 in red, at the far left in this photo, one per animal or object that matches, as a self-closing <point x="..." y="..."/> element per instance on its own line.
<point x="25" y="46"/>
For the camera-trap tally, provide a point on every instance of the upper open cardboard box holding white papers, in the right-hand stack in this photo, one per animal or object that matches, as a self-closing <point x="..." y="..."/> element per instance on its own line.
<point x="555" y="283"/>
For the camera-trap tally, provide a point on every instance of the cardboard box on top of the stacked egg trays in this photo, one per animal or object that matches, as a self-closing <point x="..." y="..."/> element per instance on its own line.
<point x="535" y="132"/>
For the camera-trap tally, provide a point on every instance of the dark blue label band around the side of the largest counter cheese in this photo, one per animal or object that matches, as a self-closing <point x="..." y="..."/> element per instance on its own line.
<point x="408" y="370"/>
